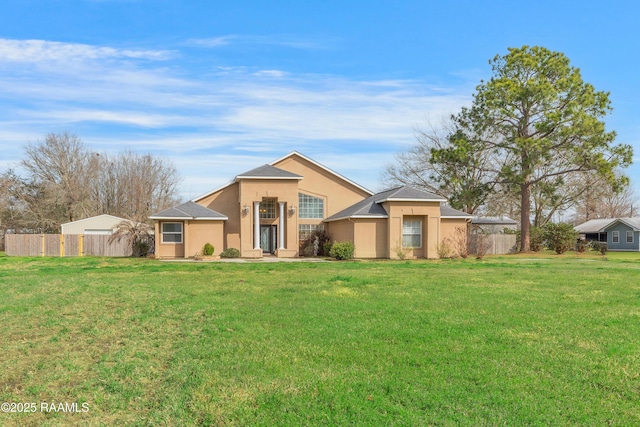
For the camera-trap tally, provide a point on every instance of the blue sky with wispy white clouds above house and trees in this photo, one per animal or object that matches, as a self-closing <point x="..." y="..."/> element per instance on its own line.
<point x="220" y="87"/>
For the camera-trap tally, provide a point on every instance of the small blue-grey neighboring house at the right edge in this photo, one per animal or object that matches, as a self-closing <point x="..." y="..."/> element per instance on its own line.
<point x="621" y="234"/>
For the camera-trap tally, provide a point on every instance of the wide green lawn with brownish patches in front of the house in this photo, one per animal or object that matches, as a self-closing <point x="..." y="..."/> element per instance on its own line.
<point x="512" y="340"/>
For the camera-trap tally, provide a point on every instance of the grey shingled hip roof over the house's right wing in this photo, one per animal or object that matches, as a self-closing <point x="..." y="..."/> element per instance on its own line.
<point x="371" y="207"/>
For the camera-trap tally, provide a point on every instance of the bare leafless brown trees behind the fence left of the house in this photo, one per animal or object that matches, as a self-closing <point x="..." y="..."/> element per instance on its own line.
<point x="65" y="181"/>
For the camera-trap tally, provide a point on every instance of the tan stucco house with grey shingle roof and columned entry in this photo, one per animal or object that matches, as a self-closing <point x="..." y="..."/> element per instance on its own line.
<point x="270" y="209"/>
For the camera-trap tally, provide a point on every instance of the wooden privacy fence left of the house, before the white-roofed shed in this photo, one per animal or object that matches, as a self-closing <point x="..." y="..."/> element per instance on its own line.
<point x="64" y="245"/>
